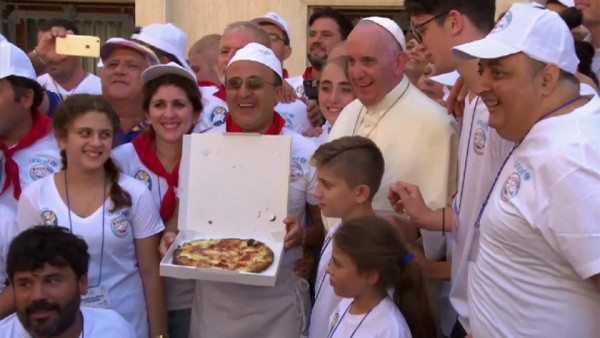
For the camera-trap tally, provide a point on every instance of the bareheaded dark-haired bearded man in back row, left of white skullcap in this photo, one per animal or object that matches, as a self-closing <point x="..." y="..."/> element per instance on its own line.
<point x="328" y="28"/>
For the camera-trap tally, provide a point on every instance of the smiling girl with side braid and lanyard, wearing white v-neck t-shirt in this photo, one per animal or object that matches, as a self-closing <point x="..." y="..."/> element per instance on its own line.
<point x="113" y="213"/>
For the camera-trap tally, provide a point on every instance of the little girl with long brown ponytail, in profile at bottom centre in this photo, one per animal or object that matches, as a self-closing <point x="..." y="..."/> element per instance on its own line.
<point x="384" y="290"/>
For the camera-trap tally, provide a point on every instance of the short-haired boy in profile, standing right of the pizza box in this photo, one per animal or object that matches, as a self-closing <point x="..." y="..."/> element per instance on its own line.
<point x="349" y="172"/>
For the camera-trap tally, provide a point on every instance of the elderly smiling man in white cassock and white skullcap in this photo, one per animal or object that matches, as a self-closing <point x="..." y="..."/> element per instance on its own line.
<point x="413" y="132"/>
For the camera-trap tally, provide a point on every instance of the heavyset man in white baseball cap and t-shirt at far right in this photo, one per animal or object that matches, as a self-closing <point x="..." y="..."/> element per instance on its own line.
<point x="536" y="270"/>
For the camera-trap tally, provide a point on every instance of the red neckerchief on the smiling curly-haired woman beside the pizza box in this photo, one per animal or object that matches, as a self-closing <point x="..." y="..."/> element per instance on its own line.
<point x="143" y="147"/>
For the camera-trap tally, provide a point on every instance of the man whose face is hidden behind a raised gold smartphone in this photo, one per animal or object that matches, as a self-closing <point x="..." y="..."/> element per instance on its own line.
<point x="67" y="77"/>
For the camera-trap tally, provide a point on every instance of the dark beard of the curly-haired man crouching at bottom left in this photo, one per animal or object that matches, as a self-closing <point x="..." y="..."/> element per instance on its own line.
<point x="66" y="317"/>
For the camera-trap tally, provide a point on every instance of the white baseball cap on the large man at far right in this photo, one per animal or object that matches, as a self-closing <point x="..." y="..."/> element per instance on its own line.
<point x="527" y="28"/>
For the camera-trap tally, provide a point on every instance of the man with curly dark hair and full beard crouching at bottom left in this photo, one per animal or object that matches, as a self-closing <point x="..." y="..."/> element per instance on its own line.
<point x="47" y="267"/>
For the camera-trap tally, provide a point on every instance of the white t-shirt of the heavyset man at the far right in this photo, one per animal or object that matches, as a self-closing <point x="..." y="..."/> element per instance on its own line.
<point x="540" y="235"/>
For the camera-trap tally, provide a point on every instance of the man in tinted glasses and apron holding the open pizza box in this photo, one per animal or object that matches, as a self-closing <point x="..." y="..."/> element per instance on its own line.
<point x="253" y="79"/>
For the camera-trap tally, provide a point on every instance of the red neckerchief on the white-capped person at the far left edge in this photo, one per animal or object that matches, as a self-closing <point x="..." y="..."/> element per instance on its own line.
<point x="42" y="125"/>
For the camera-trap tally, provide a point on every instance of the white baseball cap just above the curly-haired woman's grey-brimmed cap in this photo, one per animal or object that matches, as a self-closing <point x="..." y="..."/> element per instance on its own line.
<point x="166" y="37"/>
